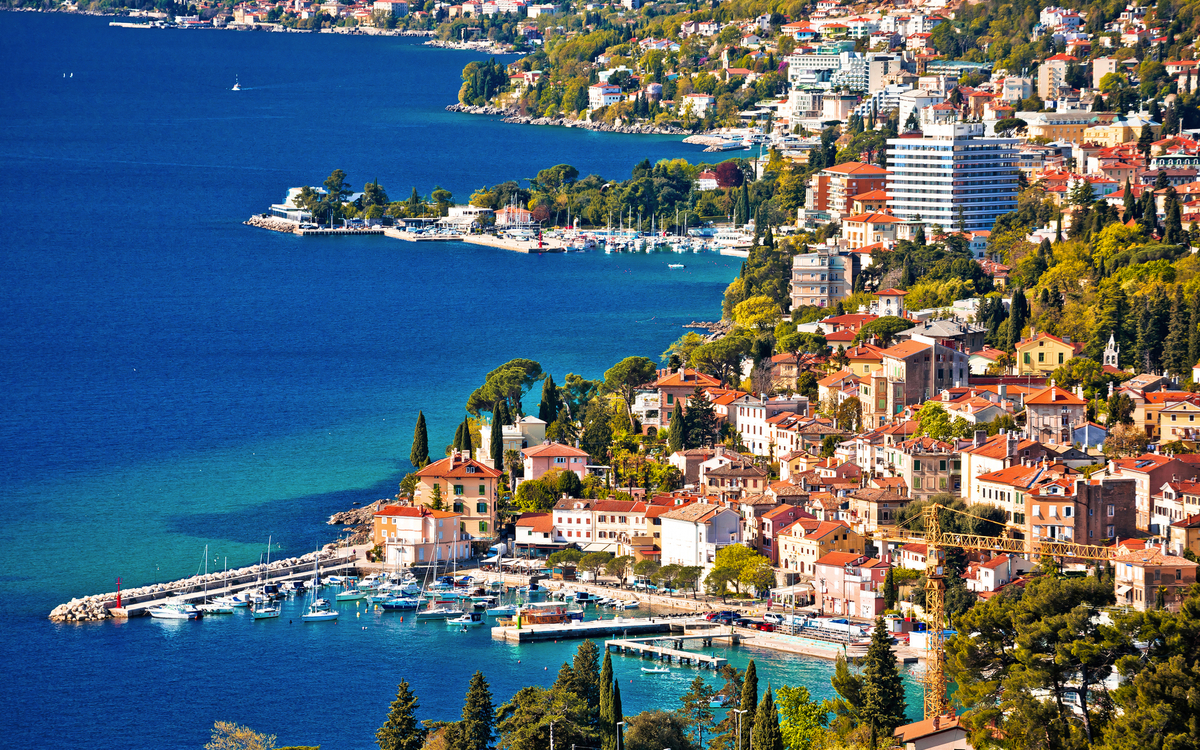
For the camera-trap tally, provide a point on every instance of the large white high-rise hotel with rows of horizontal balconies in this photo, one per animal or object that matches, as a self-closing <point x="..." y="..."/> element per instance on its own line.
<point x="952" y="173"/>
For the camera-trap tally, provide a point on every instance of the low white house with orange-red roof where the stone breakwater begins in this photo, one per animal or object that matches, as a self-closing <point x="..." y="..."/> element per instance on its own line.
<point x="417" y="536"/>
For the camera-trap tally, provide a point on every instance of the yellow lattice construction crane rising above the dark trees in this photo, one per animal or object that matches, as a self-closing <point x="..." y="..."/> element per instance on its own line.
<point x="937" y="542"/>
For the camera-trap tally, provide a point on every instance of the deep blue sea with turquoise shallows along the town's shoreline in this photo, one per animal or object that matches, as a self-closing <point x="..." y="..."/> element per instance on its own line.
<point x="175" y="382"/>
